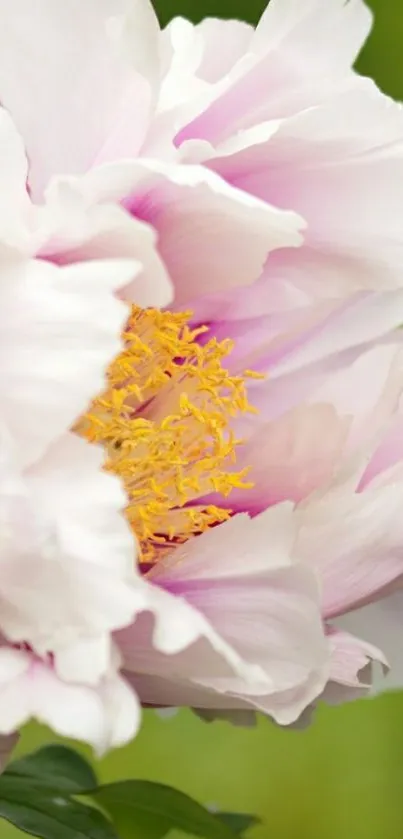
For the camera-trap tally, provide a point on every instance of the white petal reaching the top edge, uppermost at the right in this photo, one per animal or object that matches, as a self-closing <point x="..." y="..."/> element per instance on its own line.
<point x="299" y="53"/>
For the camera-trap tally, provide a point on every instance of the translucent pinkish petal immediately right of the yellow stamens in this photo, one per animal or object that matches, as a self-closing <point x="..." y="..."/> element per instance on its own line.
<point x="303" y="448"/>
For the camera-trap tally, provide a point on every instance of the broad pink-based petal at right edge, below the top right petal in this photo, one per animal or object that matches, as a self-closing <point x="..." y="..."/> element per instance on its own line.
<point x="338" y="149"/>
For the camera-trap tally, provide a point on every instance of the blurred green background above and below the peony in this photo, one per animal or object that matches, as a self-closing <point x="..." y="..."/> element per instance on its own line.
<point x="343" y="777"/>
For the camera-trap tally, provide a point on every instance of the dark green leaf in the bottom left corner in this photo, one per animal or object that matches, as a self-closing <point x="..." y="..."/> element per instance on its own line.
<point x="44" y="811"/>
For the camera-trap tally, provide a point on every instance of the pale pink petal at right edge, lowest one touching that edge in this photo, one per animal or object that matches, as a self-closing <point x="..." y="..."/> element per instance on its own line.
<point x="353" y="541"/>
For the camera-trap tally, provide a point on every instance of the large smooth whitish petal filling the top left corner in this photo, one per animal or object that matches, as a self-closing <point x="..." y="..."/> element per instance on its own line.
<point x="73" y="68"/>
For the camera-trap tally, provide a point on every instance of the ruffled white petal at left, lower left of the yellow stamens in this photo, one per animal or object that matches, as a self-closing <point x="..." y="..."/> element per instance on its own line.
<point x="68" y="572"/>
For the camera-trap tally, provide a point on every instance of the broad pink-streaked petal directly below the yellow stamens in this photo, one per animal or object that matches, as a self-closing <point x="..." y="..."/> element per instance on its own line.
<point x="240" y="581"/>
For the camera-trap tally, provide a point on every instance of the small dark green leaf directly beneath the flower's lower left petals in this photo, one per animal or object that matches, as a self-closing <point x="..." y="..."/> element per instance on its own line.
<point x="57" y="765"/>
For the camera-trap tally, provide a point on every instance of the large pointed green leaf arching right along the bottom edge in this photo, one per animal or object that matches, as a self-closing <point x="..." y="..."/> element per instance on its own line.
<point x="145" y="809"/>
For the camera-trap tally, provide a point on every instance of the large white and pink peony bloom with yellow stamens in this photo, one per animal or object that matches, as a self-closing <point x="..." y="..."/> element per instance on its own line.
<point x="241" y="399"/>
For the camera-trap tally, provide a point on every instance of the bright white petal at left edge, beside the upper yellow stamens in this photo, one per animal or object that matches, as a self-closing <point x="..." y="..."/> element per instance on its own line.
<point x="60" y="329"/>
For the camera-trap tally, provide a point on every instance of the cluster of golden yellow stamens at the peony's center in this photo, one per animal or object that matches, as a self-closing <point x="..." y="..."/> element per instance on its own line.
<point x="165" y="422"/>
